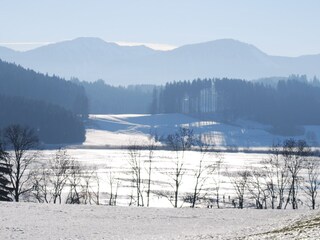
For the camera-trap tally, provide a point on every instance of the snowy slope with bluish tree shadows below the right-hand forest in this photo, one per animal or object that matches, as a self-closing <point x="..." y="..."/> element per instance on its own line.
<point x="117" y="130"/>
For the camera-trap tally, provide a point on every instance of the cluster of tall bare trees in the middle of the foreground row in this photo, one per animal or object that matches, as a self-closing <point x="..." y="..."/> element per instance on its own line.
<point x="181" y="144"/>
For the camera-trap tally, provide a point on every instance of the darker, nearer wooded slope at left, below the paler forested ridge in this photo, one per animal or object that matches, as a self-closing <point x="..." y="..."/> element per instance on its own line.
<point x="53" y="124"/>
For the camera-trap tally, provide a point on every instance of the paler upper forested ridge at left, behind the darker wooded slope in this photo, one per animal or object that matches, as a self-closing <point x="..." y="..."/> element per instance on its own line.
<point x="17" y="81"/>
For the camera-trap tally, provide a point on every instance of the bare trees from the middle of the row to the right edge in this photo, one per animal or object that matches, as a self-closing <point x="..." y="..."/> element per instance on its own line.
<point x="288" y="176"/>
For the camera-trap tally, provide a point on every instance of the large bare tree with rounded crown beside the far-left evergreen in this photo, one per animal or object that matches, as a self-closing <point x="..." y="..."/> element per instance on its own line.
<point x="21" y="140"/>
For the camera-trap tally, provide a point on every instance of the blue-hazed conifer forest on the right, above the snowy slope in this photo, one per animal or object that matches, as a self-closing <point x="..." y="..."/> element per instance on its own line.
<point x="284" y="105"/>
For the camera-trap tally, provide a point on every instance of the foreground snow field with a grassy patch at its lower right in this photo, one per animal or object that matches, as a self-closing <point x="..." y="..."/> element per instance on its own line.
<point x="46" y="221"/>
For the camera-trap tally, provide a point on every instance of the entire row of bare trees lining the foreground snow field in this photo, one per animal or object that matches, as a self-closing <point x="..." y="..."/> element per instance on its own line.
<point x="288" y="176"/>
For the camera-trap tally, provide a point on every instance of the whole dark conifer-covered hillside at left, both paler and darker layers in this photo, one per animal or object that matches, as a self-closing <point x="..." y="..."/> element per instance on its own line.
<point x="52" y="106"/>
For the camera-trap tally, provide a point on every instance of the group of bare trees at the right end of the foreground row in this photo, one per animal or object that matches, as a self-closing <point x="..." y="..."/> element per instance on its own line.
<point x="289" y="176"/>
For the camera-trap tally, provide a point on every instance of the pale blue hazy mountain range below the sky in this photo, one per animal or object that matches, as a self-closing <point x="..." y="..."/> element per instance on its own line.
<point x="91" y="59"/>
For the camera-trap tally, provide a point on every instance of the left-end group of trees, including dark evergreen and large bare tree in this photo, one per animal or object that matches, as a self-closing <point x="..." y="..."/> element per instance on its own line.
<point x="45" y="181"/>
